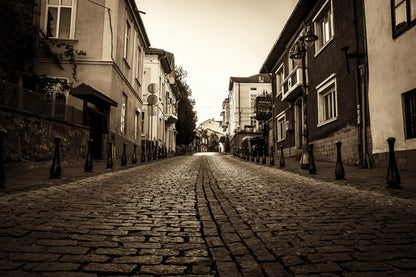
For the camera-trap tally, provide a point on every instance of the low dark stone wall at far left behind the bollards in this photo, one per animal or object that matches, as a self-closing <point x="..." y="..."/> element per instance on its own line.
<point x="30" y="139"/>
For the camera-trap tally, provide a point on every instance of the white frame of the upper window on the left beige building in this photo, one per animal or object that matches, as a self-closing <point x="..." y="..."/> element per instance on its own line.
<point x="72" y="19"/>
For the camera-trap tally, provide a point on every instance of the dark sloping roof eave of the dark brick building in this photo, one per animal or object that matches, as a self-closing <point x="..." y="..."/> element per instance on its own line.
<point x="297" y="18"/>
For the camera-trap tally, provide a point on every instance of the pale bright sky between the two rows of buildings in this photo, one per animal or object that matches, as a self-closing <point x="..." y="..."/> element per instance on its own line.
<point x="214" y="40"/>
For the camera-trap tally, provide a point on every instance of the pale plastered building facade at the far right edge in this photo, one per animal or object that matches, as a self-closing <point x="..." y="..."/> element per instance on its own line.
<point x="391" y="35"/>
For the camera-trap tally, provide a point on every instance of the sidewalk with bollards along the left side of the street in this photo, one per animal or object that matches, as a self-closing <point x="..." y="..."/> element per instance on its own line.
<point x="19" y="178"/>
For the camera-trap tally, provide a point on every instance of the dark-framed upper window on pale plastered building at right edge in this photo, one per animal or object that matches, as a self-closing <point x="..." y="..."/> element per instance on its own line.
<point x="403" y="15"/>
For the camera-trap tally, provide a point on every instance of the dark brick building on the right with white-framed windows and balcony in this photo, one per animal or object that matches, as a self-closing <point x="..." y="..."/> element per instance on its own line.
<point x="321" y="97"/>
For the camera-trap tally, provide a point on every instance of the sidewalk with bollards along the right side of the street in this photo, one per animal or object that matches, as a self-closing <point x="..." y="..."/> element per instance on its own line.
<point x="363" y="179"/>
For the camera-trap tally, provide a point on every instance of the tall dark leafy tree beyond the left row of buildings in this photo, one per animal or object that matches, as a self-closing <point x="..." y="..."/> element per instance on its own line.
<point x="186" y="115"/>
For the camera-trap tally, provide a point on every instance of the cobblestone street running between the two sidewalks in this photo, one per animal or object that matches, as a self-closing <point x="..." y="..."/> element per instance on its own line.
<point x="206" y="215"/>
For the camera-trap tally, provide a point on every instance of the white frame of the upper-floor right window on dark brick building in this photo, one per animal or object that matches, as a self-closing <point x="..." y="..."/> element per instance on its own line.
<point x="327" y="8"/>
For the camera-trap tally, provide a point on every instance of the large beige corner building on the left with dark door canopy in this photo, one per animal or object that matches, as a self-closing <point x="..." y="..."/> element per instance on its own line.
<point x="108" y="82"/>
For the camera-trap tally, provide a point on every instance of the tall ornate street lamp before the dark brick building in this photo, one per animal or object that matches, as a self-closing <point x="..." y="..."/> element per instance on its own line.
<point x="298" y="52"/>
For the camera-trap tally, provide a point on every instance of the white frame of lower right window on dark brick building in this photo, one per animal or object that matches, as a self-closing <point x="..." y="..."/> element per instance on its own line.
<point x="329" y="86"/>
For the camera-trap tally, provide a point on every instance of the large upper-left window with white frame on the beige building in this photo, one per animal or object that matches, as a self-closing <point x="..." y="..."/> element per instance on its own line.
<point x="60" y="19"/>
